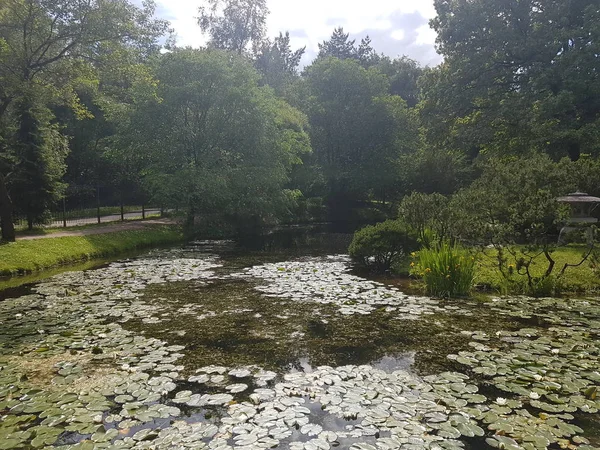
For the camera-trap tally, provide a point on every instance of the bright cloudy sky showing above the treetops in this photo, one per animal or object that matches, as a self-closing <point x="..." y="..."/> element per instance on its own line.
<point x="396" y="27"/>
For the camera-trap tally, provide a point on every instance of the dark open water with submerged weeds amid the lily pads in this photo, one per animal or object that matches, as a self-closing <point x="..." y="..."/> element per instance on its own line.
<point x="230" y="322"/>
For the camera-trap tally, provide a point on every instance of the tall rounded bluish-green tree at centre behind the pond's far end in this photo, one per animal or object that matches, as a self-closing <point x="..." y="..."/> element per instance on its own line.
<point x="358" y="131"/>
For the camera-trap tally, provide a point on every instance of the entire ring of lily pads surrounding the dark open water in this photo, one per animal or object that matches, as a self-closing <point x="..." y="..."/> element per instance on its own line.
<point x="71" y="377"/>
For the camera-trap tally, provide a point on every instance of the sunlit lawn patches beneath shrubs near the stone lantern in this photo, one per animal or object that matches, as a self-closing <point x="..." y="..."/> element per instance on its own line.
<point x="576" y="279"/>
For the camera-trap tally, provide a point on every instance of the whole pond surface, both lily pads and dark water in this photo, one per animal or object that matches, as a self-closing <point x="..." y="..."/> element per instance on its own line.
<point x="213" y="346"/>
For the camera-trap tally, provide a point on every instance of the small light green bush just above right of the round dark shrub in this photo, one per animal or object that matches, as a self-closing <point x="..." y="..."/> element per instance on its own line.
<point x="426" y="214"/>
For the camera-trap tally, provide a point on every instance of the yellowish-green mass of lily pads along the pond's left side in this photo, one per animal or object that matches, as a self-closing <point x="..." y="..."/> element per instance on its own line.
<point x="97" y="374"/>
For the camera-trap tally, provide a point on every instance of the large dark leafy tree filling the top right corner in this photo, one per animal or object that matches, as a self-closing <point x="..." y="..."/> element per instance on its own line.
<point x="518" y="75"/>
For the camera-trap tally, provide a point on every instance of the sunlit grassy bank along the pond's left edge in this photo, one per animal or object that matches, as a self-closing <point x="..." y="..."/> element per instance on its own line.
<point x="28" y="256"/>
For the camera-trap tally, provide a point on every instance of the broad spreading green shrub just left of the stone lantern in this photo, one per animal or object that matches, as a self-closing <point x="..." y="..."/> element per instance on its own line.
<point x="513" y="201"/>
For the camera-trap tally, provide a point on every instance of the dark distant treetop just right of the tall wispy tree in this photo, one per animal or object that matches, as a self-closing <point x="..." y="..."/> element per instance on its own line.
<point x="277" y="62"/>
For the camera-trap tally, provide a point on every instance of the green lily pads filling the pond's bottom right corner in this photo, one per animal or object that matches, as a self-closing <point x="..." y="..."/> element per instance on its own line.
<point x="547" y="374"/>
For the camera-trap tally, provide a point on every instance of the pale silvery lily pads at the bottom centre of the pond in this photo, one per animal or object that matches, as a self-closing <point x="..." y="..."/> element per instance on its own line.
<point x="393" y="410"/>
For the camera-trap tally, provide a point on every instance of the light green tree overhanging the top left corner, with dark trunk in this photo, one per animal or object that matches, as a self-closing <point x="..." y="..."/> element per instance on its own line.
<point x="49" y="48"/>
